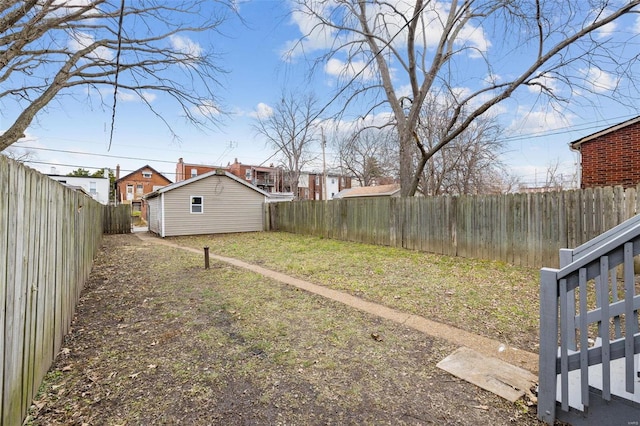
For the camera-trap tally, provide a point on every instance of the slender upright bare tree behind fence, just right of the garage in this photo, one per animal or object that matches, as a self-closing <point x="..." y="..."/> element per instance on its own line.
<point x="290" y="128"/>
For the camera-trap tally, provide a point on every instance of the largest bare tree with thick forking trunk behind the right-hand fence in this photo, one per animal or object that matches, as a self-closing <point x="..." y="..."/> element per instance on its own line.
<point x="396" y="54"/>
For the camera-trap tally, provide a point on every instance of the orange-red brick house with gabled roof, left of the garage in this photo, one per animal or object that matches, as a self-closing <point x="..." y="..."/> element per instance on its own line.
<point x="131" y="188"/>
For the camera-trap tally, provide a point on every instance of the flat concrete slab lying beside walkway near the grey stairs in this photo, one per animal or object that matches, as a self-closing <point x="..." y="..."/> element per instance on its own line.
<point x="496" y="376"/>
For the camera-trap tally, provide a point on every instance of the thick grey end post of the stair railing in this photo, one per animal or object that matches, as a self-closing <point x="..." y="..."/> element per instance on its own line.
<point x="548" y="345"/>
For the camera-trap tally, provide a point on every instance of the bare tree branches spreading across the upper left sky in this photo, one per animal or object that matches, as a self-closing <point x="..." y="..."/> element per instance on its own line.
<point x="48" y="48"/>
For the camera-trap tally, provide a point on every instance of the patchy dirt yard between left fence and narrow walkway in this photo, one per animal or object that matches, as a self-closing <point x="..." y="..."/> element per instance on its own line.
<point x="159" y="340"/>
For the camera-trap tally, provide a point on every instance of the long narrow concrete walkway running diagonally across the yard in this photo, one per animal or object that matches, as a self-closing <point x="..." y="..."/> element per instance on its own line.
<point x="484" y="345"/>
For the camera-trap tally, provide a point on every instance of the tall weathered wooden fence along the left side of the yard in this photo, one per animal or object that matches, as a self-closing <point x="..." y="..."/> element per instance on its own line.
<point x="49" y="235"/>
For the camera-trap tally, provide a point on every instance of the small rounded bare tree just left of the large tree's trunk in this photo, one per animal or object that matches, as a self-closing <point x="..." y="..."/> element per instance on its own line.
<point x="369" y="155"/>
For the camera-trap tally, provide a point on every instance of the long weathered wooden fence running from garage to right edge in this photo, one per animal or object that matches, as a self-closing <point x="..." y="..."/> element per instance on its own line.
<point x="521" y="229"/>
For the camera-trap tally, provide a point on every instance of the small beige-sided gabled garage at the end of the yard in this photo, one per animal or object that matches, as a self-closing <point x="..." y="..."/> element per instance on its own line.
<point x="212" y="203"/>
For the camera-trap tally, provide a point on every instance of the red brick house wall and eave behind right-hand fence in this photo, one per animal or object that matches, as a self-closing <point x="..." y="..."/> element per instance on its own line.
<point x="611" y="156"/>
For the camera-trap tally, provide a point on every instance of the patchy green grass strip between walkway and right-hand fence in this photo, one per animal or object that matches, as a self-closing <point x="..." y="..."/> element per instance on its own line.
<point x="493" y="299"/>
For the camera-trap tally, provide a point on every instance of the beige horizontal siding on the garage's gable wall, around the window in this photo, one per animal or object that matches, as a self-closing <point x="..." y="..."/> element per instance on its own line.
<point x="228" y="206"/>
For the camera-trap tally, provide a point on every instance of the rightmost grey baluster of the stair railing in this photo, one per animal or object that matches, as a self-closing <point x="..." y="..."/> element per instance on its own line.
<point x="630" y="318"/>
